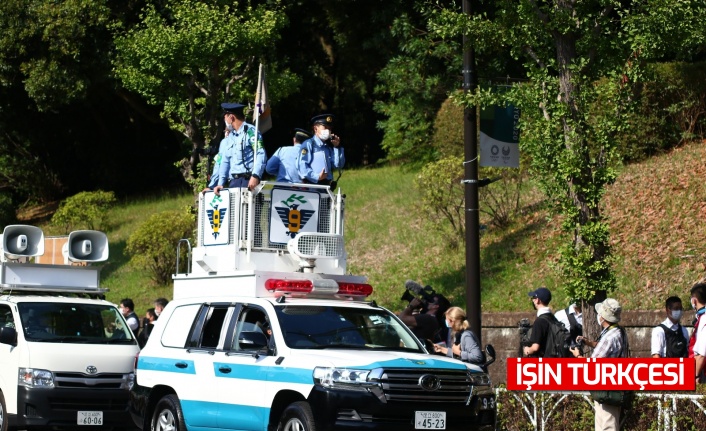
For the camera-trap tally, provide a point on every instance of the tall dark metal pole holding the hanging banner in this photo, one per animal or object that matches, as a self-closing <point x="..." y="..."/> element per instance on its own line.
<point x="470" y="139"/>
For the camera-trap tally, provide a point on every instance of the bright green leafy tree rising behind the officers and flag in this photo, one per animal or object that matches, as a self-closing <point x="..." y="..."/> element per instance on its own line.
<point x="190" y="56"/>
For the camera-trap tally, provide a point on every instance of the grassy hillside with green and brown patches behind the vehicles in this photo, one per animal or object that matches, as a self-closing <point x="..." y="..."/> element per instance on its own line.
<point x="657" y="212"/>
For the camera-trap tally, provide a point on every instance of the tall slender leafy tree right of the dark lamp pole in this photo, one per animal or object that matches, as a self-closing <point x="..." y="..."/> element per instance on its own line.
<point x="581" y="59"/>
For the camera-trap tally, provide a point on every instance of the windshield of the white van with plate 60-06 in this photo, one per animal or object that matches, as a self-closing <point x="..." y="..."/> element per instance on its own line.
<point x="73" y="323"/>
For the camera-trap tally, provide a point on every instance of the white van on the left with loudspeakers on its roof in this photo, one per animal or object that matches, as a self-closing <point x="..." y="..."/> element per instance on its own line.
<point x="66" y="355"/>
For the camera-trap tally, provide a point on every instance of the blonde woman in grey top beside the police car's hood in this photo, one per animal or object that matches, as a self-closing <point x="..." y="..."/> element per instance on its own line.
<point x="464" y="343"/>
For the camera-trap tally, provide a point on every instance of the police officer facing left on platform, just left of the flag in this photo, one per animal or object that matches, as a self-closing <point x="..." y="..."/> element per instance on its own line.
<point x="240" y="165"/>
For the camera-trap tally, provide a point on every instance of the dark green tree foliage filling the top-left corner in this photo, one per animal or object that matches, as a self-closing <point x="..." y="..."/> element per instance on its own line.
<point x="53" y="48"/>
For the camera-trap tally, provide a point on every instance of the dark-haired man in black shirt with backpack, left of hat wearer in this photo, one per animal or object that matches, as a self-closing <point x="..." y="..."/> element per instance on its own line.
<point x="548" y="337"/>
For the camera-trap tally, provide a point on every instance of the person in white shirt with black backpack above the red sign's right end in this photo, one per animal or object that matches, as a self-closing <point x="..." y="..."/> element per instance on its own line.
<point x="669" y="338"/>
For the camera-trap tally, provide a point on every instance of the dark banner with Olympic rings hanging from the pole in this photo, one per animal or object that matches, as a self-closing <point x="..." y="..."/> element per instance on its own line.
<point x="500" y="137"/>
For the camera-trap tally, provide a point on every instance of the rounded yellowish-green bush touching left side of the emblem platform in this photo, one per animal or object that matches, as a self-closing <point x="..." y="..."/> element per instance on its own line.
<point x="153" y="245"/>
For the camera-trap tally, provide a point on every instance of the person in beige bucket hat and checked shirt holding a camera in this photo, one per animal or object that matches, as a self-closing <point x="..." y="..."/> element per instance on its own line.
<point x="611" y="343"/>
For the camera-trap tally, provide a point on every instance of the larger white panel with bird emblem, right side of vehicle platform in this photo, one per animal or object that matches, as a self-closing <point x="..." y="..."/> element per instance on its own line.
<point x="292" y="211"/>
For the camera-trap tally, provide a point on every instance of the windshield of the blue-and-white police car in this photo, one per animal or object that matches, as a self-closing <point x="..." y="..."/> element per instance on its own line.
<point x="307" y="327"/>
